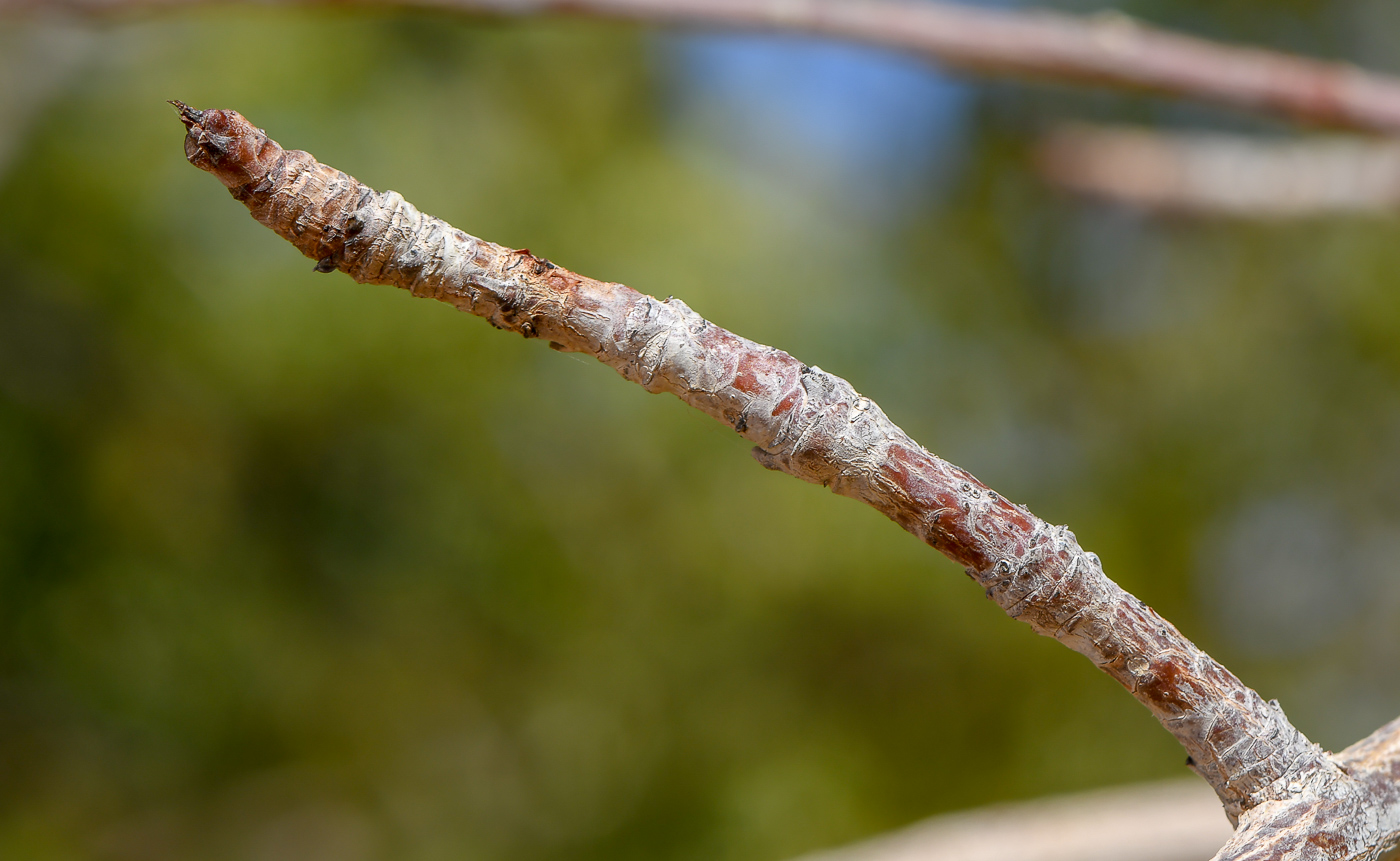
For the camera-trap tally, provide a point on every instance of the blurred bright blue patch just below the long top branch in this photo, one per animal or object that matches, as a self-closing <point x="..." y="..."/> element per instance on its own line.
<point x="877" y="128"/>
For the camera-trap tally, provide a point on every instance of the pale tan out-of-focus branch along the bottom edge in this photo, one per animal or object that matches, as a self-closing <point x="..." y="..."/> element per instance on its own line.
<point x="1170" y="821"/>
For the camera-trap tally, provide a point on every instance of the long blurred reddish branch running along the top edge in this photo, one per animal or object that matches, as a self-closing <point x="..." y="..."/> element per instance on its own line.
<point x="1108" y="51"/>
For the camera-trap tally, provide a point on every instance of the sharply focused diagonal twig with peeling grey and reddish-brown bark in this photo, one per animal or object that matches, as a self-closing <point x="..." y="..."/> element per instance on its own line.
<point x="814" y="426"/>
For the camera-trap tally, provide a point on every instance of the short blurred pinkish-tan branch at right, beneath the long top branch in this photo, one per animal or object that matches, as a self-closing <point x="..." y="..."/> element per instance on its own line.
<point x="1202" y="174"/>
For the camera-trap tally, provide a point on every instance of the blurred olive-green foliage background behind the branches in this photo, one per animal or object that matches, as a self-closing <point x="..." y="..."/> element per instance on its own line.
<point x="300" y="569"/>
